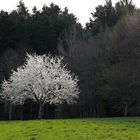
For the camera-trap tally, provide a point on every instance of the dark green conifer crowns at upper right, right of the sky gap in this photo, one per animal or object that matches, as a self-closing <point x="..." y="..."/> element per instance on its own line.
<point x="107" y="16"/>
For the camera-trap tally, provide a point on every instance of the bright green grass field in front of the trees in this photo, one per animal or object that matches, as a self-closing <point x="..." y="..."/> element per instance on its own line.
<point x="72" y="129"/>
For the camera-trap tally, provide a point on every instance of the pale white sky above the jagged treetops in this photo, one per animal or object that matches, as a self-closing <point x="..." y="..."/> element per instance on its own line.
<point x="81" y="8"/>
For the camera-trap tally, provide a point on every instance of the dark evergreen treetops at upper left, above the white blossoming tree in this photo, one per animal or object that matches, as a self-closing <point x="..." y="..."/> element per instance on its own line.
<point x="39" y="30"/>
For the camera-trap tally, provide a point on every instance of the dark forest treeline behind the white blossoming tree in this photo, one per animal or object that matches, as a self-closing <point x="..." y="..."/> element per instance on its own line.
<point x="105" y="55"/>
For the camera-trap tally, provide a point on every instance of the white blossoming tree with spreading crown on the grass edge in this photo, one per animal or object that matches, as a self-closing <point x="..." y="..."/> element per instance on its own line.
<point x="44" y="79"/>
